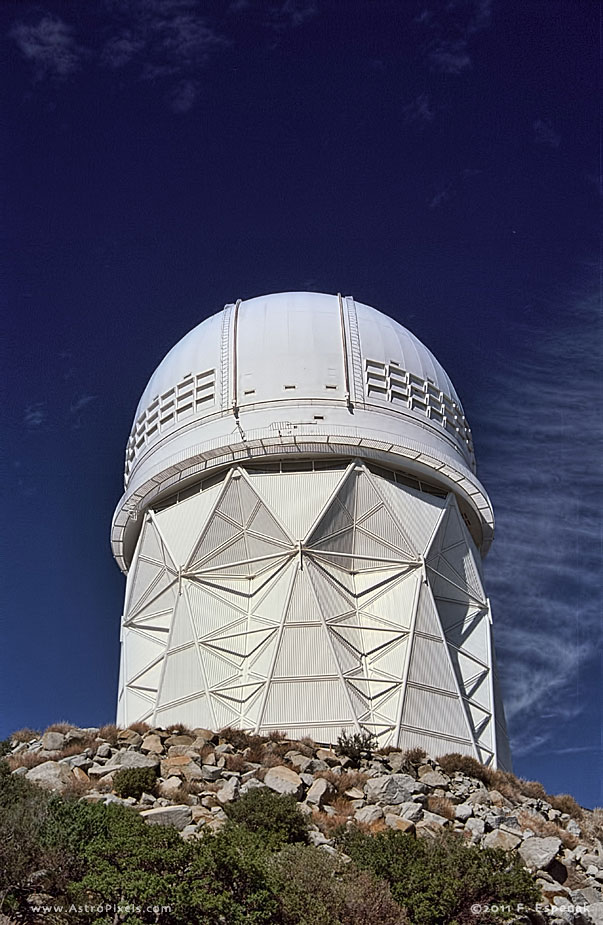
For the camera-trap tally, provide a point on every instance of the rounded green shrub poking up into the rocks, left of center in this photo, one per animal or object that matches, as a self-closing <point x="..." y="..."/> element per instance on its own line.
<point x="270" y="815"/>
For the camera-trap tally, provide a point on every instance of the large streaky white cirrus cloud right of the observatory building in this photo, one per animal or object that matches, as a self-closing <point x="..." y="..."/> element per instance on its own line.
<point x="541" y="451"/>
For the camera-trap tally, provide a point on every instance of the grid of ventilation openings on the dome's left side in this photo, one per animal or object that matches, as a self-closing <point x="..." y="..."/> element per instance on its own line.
<point x="188" y="397"/>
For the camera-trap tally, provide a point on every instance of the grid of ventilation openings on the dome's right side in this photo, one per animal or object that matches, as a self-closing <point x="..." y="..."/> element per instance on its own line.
<point x="389" y="382"/>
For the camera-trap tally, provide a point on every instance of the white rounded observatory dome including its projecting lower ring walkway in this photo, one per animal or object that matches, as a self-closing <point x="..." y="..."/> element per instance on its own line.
<point x="300" y="373"/>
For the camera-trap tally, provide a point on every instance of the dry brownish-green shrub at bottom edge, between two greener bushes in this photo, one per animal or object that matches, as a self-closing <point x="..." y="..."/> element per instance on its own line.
<point x="314" y="888"/>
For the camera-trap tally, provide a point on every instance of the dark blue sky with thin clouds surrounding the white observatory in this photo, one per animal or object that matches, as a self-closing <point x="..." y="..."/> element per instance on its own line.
<point x="438" y="160"/>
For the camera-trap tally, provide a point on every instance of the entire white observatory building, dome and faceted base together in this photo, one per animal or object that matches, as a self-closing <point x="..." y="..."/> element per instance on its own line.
<point x="302" y="530"/>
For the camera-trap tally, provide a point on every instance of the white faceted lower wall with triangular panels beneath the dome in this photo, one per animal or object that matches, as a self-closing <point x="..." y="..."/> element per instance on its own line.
<point x="312" y="602"/>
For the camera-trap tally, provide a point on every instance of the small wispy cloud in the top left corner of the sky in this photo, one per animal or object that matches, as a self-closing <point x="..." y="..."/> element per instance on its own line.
<point x="49" y="45"/>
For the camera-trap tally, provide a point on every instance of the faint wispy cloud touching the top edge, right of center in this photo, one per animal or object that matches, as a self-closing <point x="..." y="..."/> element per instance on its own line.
<point x="450" y="29"/>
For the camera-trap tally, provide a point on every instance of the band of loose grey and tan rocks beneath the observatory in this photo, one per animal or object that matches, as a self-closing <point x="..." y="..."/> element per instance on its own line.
<point x="193" y="775"/>
